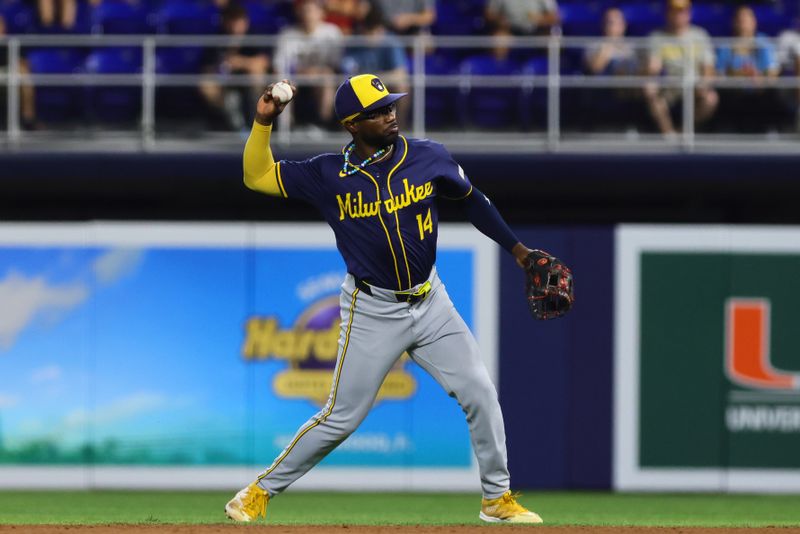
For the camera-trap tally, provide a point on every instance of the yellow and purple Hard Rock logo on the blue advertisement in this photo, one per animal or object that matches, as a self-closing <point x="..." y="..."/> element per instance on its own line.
<point x="310" y="348"/>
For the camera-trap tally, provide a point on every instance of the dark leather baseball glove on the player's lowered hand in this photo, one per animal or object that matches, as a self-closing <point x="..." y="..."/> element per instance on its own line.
<point x="548" y="286"/>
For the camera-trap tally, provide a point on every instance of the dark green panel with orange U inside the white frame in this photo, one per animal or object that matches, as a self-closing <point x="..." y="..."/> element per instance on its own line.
<point x="719" y="344"/>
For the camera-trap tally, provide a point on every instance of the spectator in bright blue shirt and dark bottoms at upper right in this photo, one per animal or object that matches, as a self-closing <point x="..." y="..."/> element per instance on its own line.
<point x="753" y="57"/>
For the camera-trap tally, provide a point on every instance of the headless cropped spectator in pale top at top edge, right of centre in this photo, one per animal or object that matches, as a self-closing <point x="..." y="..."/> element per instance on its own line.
<point x="522" y="17"/>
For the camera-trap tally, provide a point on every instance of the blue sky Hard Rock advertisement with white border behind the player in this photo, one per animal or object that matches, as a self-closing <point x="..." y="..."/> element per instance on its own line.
<point x="142" y="354"/>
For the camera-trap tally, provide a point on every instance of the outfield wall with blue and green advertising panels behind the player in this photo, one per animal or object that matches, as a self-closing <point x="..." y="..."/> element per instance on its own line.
<point x="164" y="355"/>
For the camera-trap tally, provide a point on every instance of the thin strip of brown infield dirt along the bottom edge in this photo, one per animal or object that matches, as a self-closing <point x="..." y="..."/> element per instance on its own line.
<point x="345" y="529"/>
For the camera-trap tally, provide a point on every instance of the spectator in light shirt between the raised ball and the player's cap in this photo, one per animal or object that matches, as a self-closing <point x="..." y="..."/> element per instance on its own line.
<point x="311" y="47"/>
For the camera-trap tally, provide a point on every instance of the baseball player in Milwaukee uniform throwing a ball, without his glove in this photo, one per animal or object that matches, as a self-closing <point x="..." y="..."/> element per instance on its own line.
<point x="380" y="196"/>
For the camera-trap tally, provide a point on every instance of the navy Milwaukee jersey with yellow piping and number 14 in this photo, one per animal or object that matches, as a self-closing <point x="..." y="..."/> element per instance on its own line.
<point x="385" y="216"/>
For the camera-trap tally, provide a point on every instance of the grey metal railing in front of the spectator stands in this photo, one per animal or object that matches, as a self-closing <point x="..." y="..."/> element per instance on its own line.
<point x="553" y="132"/>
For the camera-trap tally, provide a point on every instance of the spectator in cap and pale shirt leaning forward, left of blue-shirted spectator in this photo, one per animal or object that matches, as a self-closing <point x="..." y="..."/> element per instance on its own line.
<point x="666" y="55"/>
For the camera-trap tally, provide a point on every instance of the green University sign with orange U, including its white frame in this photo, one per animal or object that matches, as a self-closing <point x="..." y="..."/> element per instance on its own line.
<point x="707" y="388"/>
